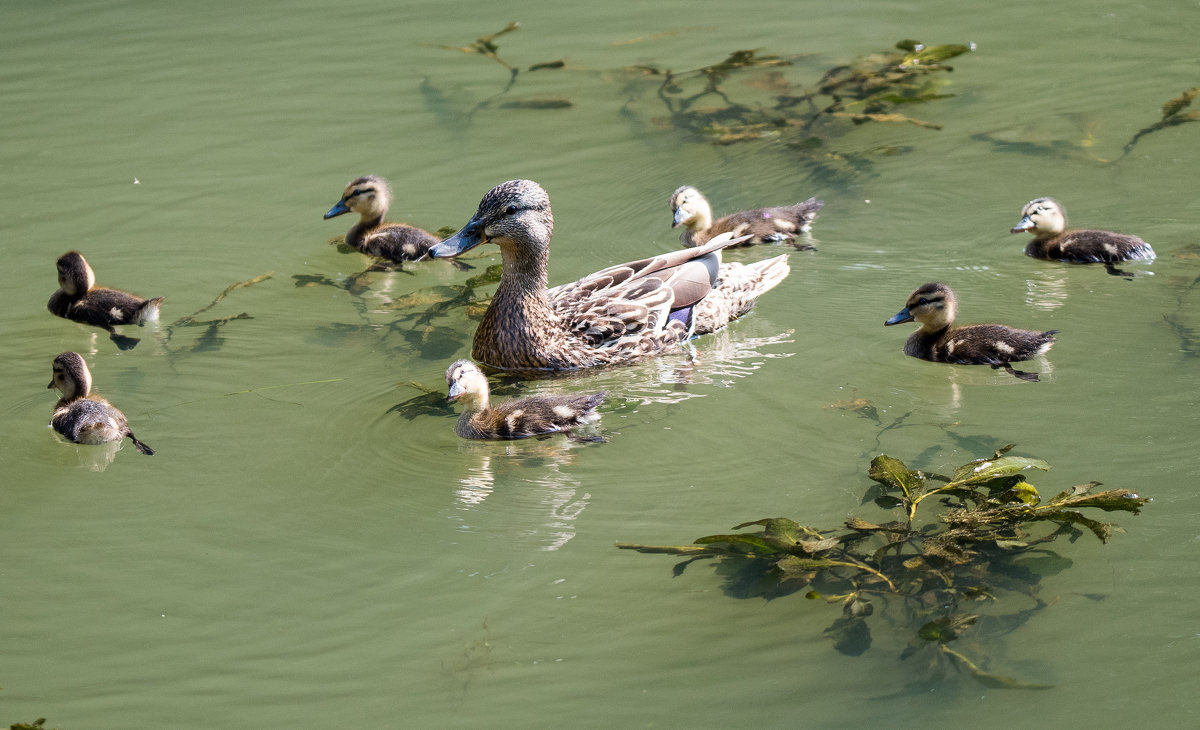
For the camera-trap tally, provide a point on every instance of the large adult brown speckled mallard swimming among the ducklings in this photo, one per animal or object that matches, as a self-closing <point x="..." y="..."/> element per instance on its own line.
<point x="613" y="316"/>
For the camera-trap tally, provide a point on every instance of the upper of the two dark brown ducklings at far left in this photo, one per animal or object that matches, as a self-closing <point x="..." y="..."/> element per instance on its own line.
<point x="80" y="300"/>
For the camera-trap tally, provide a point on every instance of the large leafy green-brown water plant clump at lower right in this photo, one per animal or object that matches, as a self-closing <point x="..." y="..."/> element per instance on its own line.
<point x="941" y="578"/>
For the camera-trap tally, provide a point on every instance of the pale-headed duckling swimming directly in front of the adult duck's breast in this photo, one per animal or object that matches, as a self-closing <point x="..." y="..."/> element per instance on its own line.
<point x="521" y="418"/>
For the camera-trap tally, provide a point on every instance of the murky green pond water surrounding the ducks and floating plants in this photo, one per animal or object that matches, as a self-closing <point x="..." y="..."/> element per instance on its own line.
<point x="303" y="554"/>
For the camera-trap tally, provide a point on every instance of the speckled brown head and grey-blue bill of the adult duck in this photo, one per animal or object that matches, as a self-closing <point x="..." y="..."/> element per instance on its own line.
<point x="515" y="216"/>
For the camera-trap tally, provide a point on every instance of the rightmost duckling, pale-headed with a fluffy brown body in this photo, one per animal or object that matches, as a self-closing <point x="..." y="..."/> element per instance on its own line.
<point x="1047" y="220"/>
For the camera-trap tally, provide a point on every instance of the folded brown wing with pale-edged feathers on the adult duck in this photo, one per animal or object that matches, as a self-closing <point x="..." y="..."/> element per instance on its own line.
<point x="638" y="297"/>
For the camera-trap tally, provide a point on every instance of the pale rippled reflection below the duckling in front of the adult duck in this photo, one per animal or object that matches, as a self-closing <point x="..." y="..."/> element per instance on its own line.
<point x="539" y="470"/>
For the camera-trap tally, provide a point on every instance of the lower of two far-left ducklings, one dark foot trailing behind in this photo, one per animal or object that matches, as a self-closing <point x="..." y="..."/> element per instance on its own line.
<point x="82" y="416"/>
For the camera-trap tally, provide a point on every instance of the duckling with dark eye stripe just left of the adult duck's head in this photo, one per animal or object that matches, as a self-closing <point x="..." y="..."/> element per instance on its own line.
<point x="370" y="198"/>
